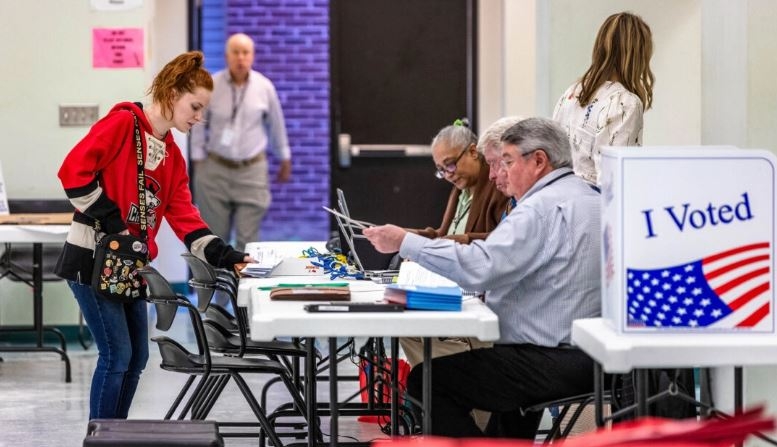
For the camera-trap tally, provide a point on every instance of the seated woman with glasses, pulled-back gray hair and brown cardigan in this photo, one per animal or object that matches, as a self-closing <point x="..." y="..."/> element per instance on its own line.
<point x="475" y="206"/>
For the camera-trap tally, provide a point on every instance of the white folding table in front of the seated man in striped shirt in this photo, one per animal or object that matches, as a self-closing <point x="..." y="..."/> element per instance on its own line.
<point x="270" y="319"/>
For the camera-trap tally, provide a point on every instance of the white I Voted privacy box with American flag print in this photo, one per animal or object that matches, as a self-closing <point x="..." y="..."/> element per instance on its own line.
<point x="688" y="236"/>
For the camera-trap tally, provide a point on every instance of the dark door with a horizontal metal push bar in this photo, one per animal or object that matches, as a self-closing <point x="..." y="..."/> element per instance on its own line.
<point x="400" y="71"/>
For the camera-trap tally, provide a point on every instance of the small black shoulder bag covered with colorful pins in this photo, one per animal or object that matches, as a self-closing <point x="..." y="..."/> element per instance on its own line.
<point x="117" y="260"/>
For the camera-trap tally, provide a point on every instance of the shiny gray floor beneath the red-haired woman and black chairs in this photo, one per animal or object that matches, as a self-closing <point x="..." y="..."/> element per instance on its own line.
<point x="37" y="407"/>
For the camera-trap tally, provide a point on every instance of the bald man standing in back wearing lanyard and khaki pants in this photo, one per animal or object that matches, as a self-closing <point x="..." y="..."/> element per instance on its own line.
<point x="231" y="185"/>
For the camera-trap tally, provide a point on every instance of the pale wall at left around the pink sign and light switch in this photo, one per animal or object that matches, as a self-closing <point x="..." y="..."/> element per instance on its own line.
<point x="46" y="51"/>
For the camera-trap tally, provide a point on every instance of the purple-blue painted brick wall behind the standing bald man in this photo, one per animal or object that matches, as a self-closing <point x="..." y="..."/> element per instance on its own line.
<point x="292" y="49"/>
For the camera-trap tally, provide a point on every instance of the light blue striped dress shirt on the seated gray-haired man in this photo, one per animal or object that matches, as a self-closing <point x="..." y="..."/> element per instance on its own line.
<point x="540" y="267"/>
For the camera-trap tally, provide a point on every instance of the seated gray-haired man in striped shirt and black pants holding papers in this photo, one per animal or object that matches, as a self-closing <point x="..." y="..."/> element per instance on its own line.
<point x="540" y="270"/>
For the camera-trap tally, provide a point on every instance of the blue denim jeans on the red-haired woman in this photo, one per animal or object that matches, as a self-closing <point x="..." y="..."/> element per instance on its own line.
<point x="120" y="332"/>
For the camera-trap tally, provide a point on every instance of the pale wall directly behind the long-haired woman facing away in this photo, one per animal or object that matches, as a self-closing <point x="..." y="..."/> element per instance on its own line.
<point x="675" y="116"/>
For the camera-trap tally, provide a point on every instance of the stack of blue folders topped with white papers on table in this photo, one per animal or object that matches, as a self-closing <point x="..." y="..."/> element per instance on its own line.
<point x="419" y="288"/>
